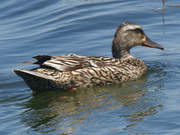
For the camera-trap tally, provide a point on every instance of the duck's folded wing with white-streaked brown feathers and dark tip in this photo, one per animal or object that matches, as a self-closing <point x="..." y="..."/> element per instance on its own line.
<point x="71" y="62"/>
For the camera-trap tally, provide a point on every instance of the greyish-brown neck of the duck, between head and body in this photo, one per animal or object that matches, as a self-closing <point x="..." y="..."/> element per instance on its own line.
<point x="120" y="50"/>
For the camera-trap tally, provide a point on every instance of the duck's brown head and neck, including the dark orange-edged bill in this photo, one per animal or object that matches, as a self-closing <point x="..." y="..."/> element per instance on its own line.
<point x="127" y="36"/>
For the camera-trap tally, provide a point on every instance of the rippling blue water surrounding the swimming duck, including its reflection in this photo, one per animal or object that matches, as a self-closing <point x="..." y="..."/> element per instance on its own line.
<point x="148" y="105"/>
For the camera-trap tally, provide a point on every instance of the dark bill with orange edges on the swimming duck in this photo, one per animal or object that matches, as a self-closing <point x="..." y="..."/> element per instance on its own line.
<point x="150" y="43"/>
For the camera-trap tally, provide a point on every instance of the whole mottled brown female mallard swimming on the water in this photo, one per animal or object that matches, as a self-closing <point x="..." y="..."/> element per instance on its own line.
<point x="76" y="71"/>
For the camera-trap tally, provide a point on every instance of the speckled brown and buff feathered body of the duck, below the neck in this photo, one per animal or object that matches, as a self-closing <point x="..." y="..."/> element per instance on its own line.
<point x="77" y="71"/>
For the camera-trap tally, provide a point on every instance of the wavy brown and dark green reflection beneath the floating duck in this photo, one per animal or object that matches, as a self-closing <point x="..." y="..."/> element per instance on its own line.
<point x="128" y="105"/>
